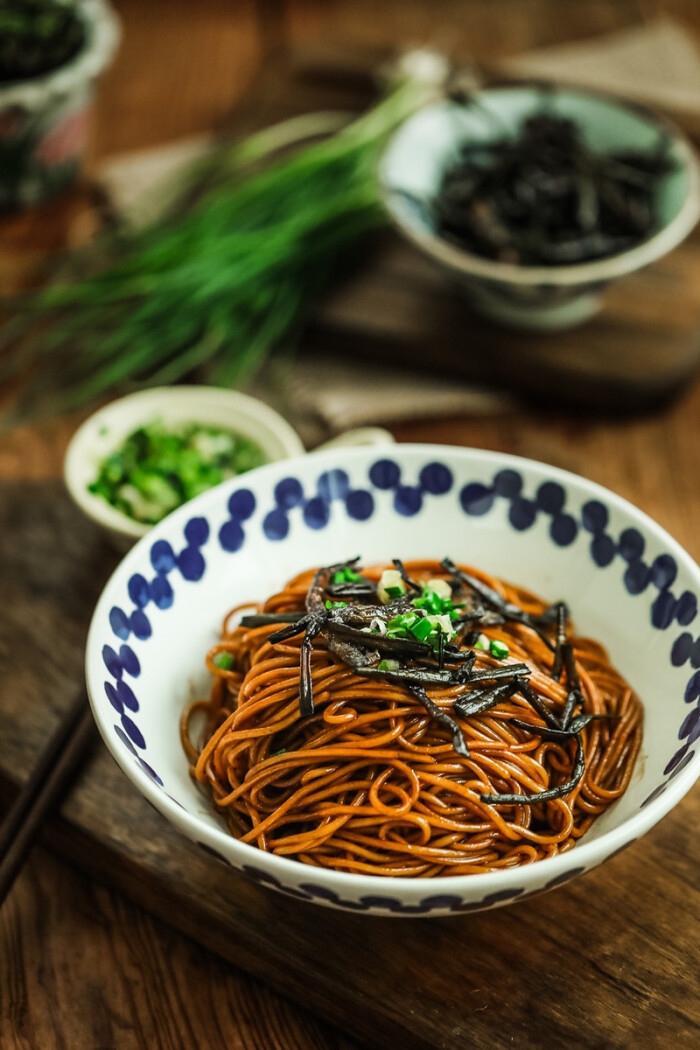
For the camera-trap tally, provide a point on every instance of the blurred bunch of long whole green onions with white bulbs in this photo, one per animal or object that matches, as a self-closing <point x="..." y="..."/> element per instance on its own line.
<point x="218" y="286"/>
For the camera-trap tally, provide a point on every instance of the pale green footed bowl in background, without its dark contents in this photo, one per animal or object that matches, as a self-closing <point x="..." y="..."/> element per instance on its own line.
<point x="533" y="297"/>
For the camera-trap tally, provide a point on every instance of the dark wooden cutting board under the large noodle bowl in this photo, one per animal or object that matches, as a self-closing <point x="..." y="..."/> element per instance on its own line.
<point x="590" y="965"/>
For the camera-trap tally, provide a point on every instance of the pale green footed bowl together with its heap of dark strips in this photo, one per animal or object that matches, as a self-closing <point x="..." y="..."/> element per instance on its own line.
<point x="605" y="188"/>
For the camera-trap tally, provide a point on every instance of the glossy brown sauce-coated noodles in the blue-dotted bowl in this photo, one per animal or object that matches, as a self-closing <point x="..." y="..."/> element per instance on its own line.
<point x="372" y="783"/>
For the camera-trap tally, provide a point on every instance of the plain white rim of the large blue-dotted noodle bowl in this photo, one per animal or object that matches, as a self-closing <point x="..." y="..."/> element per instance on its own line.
<point x="584" y="857"/>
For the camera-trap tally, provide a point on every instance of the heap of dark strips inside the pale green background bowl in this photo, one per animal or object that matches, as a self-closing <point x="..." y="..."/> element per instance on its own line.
<point x="544" y="198"/>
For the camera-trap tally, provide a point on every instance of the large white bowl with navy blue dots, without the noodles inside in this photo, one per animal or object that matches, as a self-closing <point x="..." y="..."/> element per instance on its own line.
<point x="627" y="582"/>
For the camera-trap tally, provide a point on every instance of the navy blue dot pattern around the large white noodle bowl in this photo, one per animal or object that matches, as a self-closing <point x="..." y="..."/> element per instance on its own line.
<point x="146" y="597"/>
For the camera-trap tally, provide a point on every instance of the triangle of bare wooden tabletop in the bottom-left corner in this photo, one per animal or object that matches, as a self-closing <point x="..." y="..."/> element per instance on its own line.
<point x="83" y="969"/>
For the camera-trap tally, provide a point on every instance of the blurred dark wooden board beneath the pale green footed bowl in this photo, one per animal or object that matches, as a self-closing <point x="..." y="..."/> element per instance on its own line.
<point x="641" y="349"/>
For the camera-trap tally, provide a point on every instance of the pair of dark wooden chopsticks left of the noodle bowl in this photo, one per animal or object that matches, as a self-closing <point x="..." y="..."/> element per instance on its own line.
<point x="57" y="766"/>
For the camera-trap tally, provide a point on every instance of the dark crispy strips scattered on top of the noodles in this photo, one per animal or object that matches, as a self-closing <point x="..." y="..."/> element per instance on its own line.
<point x="352" y="633"/>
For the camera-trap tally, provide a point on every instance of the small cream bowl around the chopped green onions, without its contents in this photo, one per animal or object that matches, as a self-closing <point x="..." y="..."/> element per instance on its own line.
<point x="105" y="431"/>
